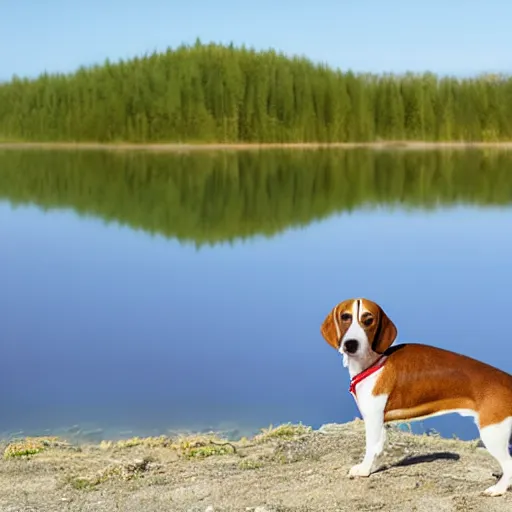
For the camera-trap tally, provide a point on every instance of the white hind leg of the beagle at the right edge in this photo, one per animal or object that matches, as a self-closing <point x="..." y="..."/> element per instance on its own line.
<point x="496" y="439"/>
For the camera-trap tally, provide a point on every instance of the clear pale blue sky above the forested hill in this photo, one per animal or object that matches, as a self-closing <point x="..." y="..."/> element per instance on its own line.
<point x="451" y="36"/>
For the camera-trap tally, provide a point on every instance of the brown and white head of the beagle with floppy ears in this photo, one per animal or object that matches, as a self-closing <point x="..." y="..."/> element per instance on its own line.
<point x="358" y="328"/>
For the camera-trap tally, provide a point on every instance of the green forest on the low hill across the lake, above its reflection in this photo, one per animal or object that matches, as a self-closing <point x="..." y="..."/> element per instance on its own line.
<point x="214" y="93"/>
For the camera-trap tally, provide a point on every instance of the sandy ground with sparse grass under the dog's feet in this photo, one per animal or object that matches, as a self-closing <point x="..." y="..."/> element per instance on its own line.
<point x="290" y="470"/>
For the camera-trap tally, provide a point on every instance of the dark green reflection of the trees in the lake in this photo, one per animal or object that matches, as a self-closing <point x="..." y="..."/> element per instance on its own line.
<point x="207" y="199"/>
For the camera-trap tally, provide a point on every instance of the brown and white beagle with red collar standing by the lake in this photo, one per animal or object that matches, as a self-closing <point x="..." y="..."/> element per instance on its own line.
<point x="410" y="382"/>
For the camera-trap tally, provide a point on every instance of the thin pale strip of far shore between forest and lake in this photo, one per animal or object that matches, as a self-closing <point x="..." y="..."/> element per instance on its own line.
<point x="247" y="146"/>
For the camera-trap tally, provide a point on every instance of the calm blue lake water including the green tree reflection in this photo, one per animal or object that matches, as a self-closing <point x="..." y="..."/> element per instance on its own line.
<point x="142" y="293"/>
